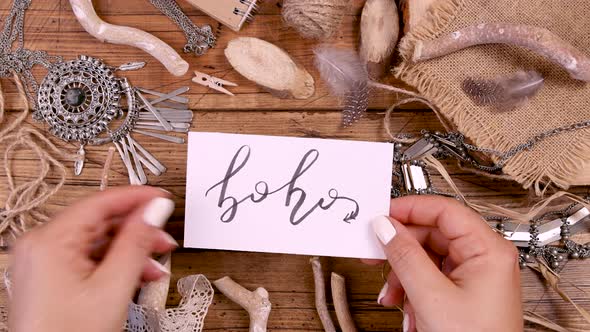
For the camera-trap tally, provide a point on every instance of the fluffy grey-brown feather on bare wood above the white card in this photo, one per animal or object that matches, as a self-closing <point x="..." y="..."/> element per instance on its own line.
<point x="346" y="77"/>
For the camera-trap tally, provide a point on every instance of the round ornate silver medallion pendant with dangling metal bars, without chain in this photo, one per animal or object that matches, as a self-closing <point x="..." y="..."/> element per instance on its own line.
<point x="80" y="99"/>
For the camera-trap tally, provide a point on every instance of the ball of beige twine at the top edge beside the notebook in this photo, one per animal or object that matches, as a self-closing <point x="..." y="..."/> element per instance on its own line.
<point x="317" y="19"/>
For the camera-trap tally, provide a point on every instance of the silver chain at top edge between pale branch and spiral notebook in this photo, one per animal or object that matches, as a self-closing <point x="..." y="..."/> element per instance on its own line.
<point x="199" y="40"/>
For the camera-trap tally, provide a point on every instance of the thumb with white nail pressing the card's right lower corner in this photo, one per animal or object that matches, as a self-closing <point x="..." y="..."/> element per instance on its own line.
<point x="418" y="275"/>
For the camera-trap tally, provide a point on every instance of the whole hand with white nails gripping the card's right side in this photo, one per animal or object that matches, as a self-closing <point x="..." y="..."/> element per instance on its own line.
<point x="450" y="270"/>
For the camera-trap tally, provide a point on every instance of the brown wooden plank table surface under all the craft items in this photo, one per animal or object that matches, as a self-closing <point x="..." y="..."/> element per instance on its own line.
<point x="51" y="26"/>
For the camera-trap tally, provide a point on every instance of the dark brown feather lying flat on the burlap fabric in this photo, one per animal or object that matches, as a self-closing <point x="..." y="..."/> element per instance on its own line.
<point x="504" y="93"/>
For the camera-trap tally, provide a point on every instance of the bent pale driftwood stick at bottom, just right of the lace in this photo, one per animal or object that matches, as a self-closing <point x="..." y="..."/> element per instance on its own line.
<point x="256" y="303"/>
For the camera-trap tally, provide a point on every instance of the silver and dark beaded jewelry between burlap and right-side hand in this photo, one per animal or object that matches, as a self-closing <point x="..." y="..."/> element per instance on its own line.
<point x="411" y="177"/>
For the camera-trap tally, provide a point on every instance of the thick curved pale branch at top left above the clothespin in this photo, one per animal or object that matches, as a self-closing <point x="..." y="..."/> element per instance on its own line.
<point x="116" y="34"/>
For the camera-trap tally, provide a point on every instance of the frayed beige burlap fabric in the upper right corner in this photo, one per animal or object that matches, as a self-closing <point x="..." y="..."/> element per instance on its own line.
<point x="560" y="160"/>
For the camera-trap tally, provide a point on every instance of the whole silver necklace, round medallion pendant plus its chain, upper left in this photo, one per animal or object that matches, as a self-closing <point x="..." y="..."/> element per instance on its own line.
<point x="81" y="99"/>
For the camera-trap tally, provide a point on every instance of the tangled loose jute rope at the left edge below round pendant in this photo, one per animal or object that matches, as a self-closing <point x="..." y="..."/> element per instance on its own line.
<point x="22" y="206"/>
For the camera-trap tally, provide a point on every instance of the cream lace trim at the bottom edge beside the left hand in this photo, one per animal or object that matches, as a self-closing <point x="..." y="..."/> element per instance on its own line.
<point x="197" y="295"/>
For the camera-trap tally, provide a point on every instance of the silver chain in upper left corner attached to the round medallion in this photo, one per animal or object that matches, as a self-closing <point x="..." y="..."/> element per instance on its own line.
<point x="17" y="59"/>
